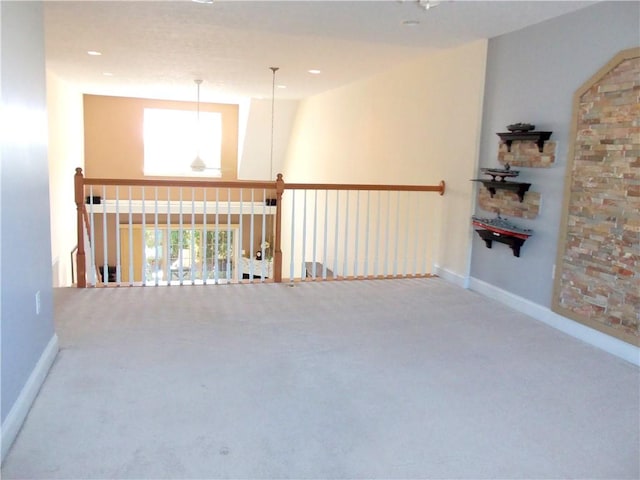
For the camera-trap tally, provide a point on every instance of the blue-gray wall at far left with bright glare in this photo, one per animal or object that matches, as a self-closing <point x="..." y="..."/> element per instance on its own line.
<point x="25" y="252"/>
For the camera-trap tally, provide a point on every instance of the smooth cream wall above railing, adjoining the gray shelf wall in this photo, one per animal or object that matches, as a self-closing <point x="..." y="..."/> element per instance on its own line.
<point x="415" y="124"/>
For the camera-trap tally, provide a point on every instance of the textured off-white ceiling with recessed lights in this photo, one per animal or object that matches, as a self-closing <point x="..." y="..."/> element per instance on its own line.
<point x="157" y="48"/>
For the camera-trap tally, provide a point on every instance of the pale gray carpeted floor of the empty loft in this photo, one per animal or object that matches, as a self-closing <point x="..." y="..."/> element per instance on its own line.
<point x="411" y="378"/>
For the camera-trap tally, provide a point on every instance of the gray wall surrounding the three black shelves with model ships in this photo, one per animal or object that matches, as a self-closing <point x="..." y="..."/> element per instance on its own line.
<point x="531" y="77"/>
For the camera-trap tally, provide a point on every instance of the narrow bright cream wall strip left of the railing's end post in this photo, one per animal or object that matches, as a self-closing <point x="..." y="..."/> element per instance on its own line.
<point x="64" y="106"/>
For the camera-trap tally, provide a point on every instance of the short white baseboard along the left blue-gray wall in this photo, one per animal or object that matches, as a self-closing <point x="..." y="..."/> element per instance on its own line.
<point x="16" y="417"/>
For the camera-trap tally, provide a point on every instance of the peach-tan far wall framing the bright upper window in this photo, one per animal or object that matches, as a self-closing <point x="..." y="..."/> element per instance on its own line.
<point x="114" y="145"/>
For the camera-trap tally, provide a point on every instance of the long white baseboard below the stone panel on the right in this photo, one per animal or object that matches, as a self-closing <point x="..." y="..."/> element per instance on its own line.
<point x="609" y="344"/>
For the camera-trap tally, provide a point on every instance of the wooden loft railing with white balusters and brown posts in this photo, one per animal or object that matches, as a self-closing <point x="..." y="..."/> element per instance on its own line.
<point x="329" y="231"/>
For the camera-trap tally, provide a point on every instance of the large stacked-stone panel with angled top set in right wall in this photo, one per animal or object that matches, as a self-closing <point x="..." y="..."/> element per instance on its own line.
<point x="600" y="270"/>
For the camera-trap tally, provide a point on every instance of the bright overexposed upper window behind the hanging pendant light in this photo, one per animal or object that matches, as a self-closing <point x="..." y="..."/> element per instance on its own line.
<point x="172" y="139"/>
